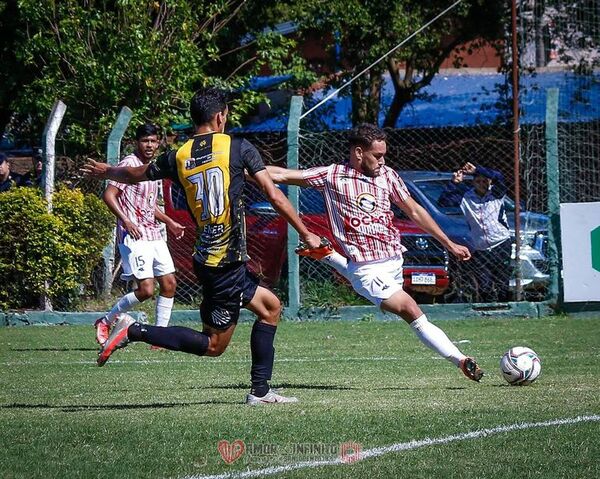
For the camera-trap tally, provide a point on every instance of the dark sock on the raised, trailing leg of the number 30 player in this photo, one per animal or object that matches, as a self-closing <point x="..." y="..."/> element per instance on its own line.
<point x="175" y="338"/>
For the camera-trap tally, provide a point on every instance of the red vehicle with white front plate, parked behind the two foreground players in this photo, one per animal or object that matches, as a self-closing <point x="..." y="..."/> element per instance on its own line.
<point x="425" y="260"/>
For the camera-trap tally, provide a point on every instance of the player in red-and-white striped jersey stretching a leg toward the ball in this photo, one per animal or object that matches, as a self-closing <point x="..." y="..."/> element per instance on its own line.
<point x="358" y="197"/>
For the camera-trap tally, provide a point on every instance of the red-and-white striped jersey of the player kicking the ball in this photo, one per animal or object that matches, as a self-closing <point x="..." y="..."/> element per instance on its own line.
<point x="359" y="209"/>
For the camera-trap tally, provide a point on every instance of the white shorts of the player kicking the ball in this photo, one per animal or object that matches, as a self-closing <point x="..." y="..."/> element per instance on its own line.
<point x="377" y="280"/>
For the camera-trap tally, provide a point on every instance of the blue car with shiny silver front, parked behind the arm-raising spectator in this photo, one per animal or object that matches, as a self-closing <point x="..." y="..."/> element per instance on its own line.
<point x="426" y="188"/>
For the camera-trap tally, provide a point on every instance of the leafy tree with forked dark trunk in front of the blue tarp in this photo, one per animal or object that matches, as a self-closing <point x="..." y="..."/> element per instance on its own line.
<point x="367" y="29"/>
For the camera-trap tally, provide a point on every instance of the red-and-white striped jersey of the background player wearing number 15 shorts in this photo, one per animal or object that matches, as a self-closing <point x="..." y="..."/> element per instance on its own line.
<point x="138" y="202"/>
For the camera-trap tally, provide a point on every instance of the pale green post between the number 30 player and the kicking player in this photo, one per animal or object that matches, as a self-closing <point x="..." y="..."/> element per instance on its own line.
<point x="293" y="195"/>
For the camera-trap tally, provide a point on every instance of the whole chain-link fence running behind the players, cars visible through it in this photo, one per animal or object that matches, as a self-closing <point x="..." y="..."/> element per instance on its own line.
<point x="430" y="272"/>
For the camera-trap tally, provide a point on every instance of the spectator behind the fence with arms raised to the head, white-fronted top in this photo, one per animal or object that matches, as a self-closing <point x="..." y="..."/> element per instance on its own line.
<point x="483" y="207"/>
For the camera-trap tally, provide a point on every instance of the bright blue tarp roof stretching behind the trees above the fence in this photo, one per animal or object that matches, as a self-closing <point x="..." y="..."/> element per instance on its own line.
<point x="466" y="100"/>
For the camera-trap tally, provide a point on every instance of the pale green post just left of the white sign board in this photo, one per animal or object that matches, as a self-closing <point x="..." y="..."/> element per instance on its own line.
<point x="553" y="185"/>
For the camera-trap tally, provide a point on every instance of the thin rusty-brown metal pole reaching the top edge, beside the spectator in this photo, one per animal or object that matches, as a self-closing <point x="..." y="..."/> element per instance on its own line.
<point x="516" y="143"/>
